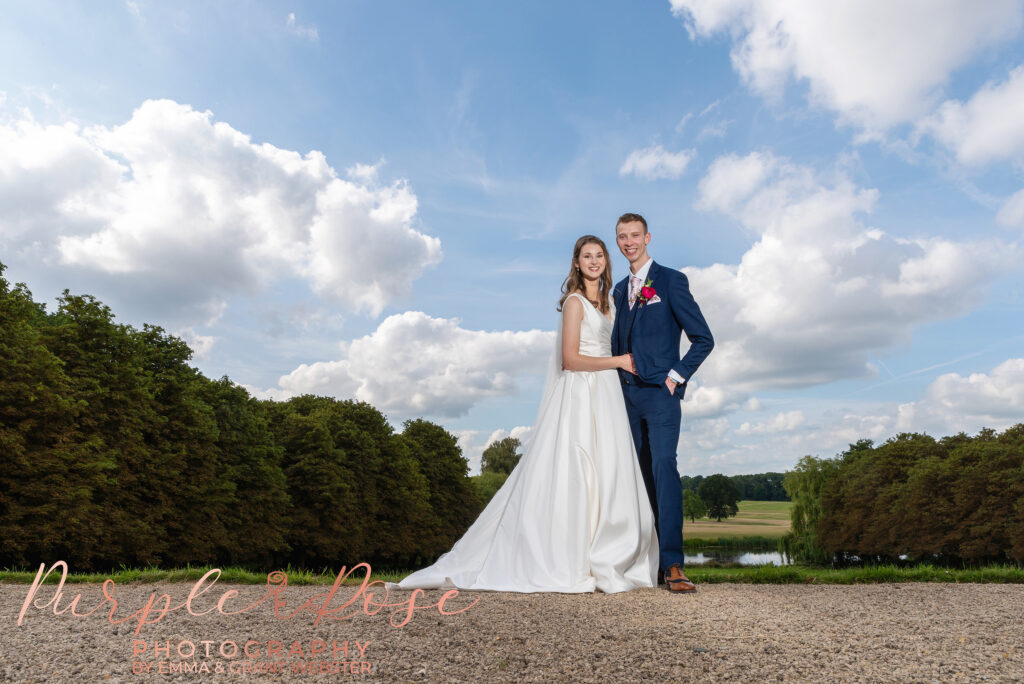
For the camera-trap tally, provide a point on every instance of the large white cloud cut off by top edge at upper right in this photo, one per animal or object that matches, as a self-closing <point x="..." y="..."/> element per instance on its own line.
<point x="876" y="63"/>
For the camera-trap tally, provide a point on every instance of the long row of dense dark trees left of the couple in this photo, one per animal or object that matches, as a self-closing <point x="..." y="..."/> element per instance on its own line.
<point x="115" y="451"/>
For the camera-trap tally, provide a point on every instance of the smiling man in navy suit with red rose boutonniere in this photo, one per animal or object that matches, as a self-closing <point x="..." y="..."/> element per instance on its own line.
<point x="654" y="309"/>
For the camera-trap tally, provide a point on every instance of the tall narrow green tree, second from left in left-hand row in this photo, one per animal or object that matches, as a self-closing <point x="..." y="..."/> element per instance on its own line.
<point x="104" y="363"/>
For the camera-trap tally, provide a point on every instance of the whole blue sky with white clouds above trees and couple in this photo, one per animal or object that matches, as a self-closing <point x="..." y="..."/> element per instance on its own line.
<point x="378" y="199"/>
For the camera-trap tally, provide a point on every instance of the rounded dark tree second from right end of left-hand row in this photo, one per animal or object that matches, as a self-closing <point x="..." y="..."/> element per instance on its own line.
<point x="357" y="491"/>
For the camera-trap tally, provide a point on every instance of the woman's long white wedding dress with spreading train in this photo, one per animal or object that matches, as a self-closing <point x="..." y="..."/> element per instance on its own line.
<point x="574" y="515"/>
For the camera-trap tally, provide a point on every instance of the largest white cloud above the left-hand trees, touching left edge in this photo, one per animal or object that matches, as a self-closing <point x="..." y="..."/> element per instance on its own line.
<point x="184" y="212"/>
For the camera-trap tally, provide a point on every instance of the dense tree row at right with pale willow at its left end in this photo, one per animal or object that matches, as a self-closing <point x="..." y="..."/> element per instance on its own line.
<point x="959" y="500"/>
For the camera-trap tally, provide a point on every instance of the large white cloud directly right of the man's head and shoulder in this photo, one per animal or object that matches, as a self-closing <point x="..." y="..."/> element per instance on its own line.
<point x="820" y="292"/>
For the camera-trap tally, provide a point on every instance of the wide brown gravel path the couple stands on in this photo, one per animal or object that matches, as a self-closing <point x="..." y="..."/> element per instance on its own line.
<point x="791" y="633"/>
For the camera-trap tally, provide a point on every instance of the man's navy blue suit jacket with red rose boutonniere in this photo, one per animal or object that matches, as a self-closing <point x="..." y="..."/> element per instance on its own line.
<point x="653" y="331"/>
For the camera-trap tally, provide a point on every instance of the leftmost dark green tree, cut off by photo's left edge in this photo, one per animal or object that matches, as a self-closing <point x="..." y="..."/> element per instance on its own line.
<point x="52" y="468"/>
